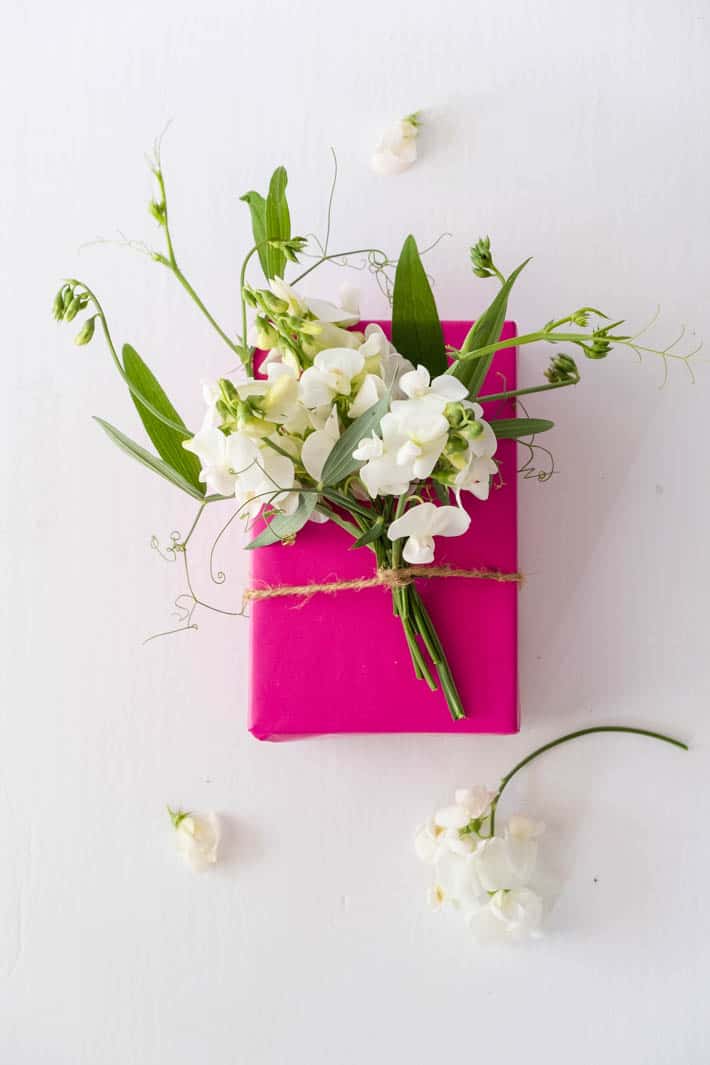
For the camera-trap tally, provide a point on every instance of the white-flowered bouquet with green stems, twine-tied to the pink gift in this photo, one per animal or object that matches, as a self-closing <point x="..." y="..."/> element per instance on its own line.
<point x="329" y="420"/>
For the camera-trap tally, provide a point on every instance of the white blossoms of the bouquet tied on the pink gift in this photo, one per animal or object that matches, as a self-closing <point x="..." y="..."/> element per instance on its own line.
<point x="263" y="439"/>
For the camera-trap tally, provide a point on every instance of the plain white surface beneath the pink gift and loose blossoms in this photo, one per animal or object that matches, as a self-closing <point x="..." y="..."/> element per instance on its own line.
<point x="573" y="133"/>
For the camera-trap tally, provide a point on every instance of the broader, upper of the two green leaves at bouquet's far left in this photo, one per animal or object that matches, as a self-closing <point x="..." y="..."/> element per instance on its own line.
<point x="167" y="441"/>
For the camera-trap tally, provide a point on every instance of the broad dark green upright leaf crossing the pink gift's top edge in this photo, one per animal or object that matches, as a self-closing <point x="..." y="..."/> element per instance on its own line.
<point x="417" y="332"/>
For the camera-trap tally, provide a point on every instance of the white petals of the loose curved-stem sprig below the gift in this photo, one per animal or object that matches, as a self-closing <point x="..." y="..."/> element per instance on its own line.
<point x="493" y="881"/>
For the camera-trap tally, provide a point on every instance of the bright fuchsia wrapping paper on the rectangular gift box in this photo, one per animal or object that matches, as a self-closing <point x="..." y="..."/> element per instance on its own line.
<point x="340" y="664"/>
